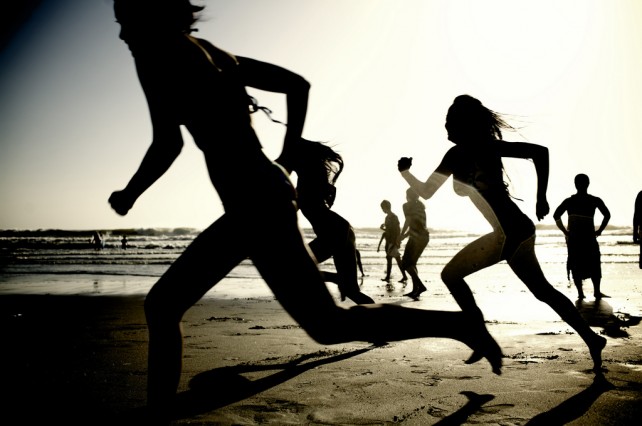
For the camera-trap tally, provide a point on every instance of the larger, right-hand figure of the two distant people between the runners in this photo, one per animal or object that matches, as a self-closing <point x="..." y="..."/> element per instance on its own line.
<point x="414" y="228"/>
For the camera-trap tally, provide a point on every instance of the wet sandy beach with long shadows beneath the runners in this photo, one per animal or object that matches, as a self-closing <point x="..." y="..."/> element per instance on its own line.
<point x="81" y="359"/>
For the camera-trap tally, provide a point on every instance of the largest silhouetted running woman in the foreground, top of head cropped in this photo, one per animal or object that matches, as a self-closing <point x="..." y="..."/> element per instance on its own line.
<point x="189" y="82"/>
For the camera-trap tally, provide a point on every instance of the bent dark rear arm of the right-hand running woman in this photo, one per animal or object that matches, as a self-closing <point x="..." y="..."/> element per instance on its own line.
<point x="539" y="155"/>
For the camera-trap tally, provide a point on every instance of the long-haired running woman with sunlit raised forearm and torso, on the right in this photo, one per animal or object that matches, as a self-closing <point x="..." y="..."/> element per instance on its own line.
<point x="475" y="163"/>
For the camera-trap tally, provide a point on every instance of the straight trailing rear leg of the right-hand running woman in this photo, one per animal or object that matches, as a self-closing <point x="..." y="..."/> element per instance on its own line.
<point x="525" y="264"/>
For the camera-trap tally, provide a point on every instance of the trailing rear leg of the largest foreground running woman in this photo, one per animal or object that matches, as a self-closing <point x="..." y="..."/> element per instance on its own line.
<point x="295" y="280"/>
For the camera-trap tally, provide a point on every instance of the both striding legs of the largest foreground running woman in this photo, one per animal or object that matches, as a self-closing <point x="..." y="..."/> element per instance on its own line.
<point x="281" y="256"/>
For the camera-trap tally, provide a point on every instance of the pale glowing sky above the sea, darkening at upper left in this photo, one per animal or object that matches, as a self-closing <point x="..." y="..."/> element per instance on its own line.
<point x="74" y="123"/>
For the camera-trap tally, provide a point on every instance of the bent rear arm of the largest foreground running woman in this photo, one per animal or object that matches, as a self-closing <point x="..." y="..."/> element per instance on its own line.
<point x="272" y="78"/>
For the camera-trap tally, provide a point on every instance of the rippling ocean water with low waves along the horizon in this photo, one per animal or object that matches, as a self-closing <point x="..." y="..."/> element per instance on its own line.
<point x="59" y="261"/>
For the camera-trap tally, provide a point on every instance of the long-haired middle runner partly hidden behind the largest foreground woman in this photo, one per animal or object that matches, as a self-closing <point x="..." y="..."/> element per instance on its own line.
<point x="318" y="167"/>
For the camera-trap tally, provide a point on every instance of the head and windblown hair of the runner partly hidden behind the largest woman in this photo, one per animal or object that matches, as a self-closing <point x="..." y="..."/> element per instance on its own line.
<point x="318" y="167"/>
